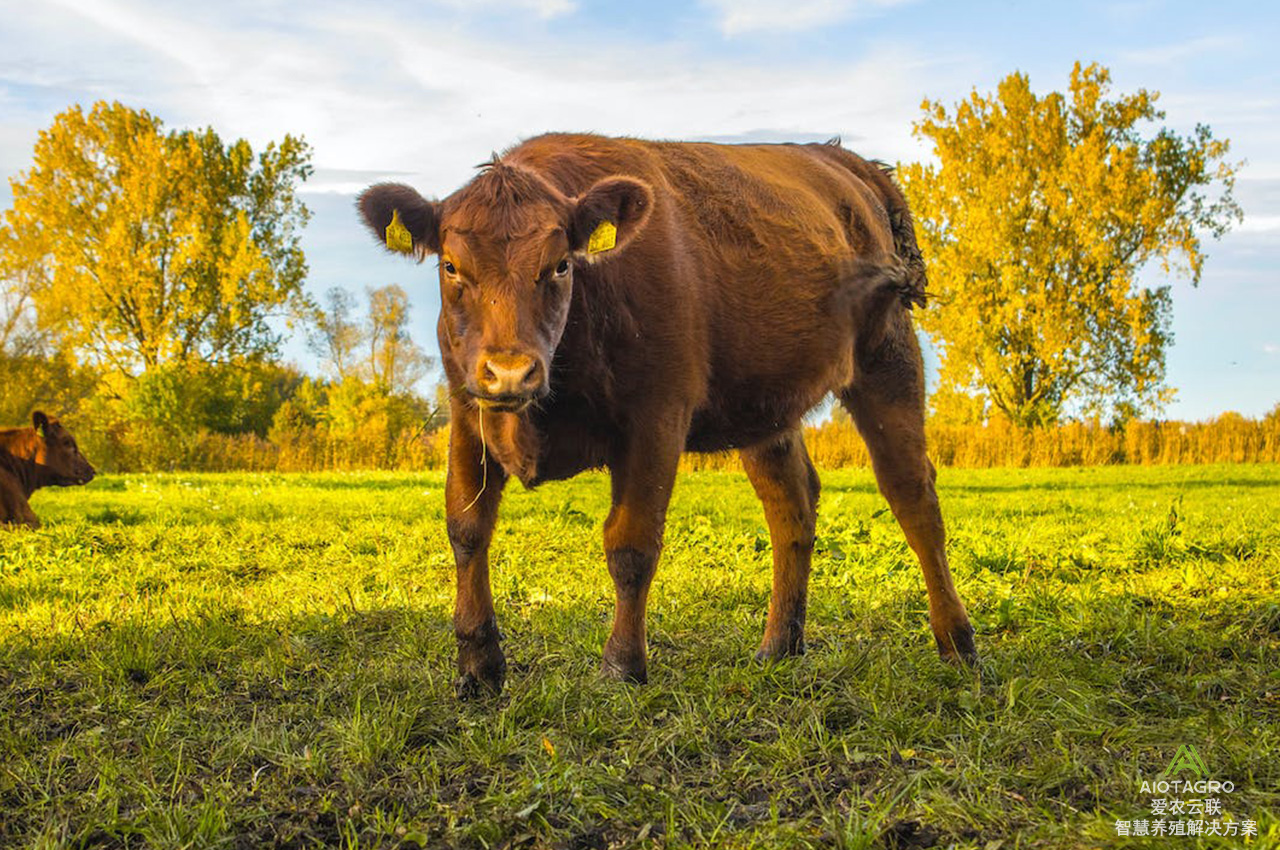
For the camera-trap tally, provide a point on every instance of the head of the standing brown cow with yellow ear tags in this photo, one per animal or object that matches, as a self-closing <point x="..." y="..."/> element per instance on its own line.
<point x="509" y="244"/>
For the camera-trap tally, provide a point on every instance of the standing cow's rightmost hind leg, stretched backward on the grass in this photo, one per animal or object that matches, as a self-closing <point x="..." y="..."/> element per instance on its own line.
<point x="888" y="405"/>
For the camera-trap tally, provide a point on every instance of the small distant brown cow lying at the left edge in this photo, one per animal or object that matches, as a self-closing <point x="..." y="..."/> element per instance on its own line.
<point x="44" y="455"/>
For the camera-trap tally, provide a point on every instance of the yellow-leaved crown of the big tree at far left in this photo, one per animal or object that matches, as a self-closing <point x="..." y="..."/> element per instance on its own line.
<point x="148" y="248"/>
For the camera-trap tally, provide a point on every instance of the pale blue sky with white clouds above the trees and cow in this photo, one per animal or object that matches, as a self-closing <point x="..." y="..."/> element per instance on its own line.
<point x="422" y="92"/>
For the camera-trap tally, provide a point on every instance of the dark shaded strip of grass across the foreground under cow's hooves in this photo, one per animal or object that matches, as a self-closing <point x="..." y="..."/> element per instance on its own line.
<point x="330" y="729"/>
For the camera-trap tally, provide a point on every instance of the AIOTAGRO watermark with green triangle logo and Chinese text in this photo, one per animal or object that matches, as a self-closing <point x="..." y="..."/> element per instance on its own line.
<point x="1187" y="801"/>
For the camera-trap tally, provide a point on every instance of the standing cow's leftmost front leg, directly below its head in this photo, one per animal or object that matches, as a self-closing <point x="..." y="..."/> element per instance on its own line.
<point x="472" y="495"/>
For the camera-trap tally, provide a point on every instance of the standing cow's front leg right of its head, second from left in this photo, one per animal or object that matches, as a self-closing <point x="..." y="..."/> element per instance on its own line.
<point x="643" y="478"/>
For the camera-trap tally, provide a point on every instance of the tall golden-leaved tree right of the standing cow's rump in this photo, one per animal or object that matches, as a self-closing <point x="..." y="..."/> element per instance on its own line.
<point x="1037" y="221"/>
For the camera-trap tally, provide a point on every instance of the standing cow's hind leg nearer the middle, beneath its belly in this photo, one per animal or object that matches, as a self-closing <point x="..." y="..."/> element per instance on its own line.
<point x="788" y="486"/>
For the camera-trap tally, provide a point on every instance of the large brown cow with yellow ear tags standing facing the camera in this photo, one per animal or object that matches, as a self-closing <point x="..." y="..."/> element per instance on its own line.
<point x="615" y="303"/>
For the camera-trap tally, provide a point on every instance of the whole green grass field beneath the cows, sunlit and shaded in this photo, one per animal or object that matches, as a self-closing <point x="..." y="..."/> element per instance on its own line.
<point x="267" y="661"/>
